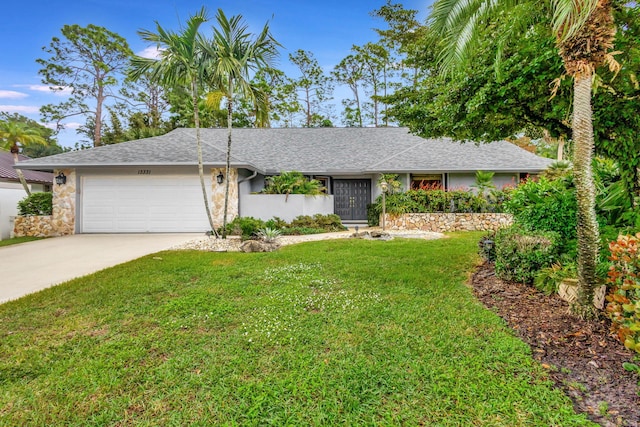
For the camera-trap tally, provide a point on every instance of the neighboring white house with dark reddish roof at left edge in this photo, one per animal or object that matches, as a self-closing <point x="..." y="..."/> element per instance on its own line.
<point x="11" y="191"/>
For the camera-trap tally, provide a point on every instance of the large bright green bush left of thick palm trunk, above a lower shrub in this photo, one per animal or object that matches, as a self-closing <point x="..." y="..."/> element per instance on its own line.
<point x="545" y="205"/>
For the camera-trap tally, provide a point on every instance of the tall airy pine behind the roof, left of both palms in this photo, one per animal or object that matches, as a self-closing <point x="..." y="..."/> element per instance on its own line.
<point x="88" y="62"/>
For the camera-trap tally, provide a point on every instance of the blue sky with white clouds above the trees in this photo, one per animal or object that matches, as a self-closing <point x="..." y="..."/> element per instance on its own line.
<point x="327" y="28"/>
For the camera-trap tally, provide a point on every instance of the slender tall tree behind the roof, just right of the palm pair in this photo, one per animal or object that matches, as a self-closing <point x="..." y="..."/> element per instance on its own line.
<point x="314" y="87"/>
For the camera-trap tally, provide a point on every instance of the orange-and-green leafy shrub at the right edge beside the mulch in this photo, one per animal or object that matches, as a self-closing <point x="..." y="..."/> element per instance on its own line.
<point x="623" y="307"/>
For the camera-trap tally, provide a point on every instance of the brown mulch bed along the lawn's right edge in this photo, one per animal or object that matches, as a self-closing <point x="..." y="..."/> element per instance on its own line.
<point x="582" y="358"/>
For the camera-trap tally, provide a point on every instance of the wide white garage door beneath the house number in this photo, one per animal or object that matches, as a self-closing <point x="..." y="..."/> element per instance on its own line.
<point x="140" y="204"/>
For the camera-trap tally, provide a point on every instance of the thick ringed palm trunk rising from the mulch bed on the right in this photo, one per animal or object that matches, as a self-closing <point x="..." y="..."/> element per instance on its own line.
<point x="588" y="240"/>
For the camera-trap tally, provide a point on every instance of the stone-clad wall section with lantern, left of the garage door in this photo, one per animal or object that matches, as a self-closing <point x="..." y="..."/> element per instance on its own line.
<point x="64" y="204"/>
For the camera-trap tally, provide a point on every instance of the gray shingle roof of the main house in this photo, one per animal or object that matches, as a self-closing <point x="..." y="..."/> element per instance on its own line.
<point x="308" y="150"/>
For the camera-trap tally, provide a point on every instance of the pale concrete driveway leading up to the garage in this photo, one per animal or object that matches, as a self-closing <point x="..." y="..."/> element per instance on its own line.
<point x="30" y="267"/>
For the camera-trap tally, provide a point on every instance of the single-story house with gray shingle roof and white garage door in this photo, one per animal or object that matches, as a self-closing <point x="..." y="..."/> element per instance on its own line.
<point x="152" y="185"/>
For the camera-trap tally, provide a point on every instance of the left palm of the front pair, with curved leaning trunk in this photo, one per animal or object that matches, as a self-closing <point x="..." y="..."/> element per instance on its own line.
<point x="179" y="63"/>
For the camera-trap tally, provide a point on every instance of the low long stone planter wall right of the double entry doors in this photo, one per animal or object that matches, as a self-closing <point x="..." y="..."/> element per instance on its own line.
<point x="441" y="222"/>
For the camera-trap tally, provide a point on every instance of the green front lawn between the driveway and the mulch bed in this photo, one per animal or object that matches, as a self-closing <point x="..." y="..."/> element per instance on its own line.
<point x="347" y="332"/>
